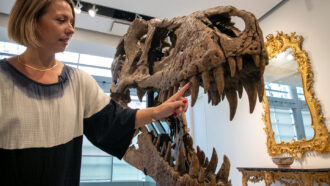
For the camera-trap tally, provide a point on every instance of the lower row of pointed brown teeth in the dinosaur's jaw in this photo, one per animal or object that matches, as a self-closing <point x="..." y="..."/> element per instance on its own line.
<point x="199" y="169"/>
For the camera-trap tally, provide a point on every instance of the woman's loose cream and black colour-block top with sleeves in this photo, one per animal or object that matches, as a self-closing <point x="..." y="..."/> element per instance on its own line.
<point x="41" y="126"/>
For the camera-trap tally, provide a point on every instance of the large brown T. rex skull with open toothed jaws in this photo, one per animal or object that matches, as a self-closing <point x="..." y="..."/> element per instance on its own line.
<point x="204" y="48"/>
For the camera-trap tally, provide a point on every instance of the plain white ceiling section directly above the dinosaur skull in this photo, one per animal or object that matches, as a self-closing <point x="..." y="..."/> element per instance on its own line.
<point x="174" y="8"/>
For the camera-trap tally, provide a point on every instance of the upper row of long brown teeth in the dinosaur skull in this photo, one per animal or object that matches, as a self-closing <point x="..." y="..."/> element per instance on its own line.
<point x="216" y="90"/>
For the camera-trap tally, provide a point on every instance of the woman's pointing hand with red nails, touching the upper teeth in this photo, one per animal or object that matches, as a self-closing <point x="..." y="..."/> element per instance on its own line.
<point x="176" y="105"/>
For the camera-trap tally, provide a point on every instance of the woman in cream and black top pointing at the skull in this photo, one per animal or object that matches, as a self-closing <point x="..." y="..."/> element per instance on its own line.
<point x="46" y="106"/>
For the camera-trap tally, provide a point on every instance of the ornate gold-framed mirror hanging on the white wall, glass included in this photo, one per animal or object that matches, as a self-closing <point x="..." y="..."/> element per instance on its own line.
<point x="292" y="114"/>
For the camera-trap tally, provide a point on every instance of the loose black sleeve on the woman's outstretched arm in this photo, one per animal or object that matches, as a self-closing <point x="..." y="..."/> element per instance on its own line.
<point x="111" y="129"/>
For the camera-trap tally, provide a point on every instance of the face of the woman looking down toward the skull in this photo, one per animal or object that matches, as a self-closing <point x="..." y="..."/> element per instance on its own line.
<point x="54" y="29"/>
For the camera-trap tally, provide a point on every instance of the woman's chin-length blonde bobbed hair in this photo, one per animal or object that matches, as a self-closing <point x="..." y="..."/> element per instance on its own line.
<point x="24" y="17"/>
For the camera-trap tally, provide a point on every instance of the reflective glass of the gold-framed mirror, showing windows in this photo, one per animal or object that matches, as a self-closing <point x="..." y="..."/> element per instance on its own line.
<point x="289" y="115"/>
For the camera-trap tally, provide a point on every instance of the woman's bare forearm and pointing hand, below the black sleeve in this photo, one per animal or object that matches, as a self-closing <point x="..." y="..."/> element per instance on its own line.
<point x="176" y="104"/>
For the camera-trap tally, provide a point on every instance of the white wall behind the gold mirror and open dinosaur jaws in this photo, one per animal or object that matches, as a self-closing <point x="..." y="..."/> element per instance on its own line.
<point x="243" y="140"/>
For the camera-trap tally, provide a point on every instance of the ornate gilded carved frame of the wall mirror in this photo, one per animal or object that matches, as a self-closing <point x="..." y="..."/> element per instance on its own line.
<point x="320" y="142"/>
